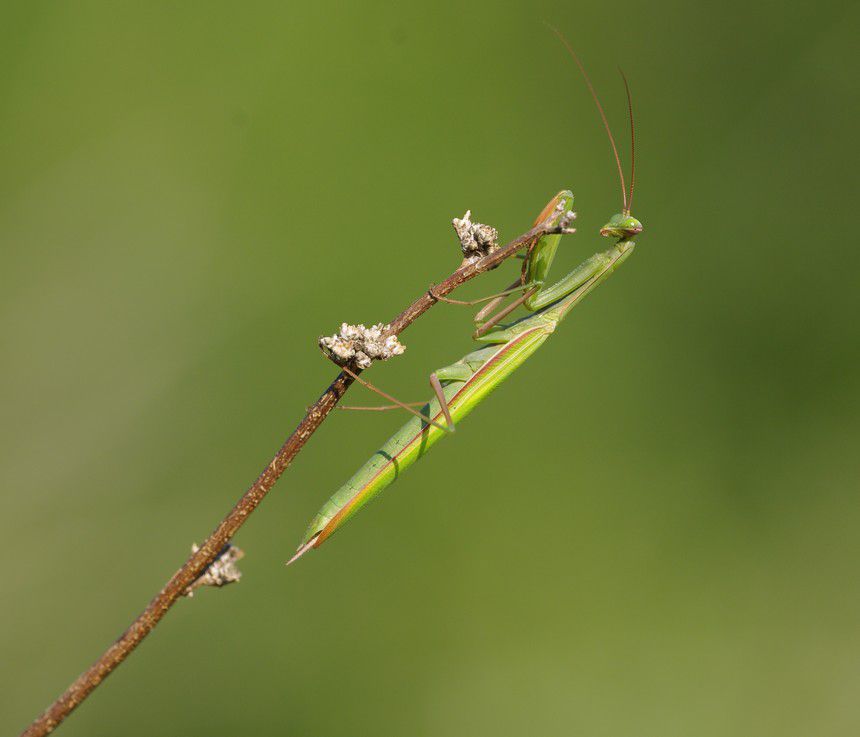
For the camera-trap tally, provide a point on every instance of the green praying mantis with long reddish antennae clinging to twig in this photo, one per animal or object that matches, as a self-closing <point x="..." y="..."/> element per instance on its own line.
<point x="460" y="387"/>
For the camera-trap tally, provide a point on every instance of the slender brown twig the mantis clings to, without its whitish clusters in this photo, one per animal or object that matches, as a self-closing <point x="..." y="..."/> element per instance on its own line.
<point x="203" y="557"/>
